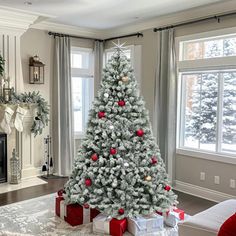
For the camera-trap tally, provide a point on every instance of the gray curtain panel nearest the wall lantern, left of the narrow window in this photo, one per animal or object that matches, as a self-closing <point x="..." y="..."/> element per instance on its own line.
<point x="62" y="121"/>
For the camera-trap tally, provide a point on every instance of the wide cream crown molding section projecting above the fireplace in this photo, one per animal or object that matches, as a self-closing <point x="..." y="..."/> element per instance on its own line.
<point x="14" y="21"/>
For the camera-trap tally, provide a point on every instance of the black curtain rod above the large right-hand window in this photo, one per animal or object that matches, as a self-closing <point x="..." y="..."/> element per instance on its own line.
<point x="216" y="17"/>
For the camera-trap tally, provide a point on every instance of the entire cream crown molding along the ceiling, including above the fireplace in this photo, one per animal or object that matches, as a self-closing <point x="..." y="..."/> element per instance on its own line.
<point x="19" y="21"/>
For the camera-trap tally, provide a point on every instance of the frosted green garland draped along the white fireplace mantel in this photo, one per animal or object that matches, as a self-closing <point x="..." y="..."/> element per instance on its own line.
<point x="42" y="118"/>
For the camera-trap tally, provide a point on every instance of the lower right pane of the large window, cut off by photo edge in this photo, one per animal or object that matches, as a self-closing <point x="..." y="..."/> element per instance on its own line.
<point x="229" y="112"/>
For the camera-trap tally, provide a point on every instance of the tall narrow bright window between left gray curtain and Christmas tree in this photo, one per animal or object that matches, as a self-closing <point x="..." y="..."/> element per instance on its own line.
<point x="82" y="87"/>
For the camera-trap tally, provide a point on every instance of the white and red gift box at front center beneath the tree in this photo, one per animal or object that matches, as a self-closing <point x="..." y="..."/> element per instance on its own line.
<point x="103" y="224"/>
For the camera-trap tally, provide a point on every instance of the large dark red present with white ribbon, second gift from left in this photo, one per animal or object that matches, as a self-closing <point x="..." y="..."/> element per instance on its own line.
<point x="78" y="215"/>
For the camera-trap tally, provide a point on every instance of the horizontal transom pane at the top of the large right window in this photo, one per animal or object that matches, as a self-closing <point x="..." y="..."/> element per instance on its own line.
<point x="209" y="48"/>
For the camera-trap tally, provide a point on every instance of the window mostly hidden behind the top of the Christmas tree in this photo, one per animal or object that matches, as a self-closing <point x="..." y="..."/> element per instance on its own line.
<point x="133" y="53"/>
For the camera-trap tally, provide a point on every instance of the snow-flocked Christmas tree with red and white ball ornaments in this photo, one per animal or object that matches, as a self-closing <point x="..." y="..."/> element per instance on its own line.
<point x="118" y="169"/>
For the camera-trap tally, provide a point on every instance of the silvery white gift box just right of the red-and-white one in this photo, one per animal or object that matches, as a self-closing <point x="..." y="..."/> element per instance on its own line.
<point x="143" y="226"/>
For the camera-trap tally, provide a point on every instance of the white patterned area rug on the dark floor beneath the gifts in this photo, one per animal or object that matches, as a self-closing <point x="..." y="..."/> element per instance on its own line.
<point x="37" y="217"/>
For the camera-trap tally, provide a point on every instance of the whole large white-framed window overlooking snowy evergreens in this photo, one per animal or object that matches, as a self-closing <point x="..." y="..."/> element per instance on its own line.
<point x="207" y="101"/>
